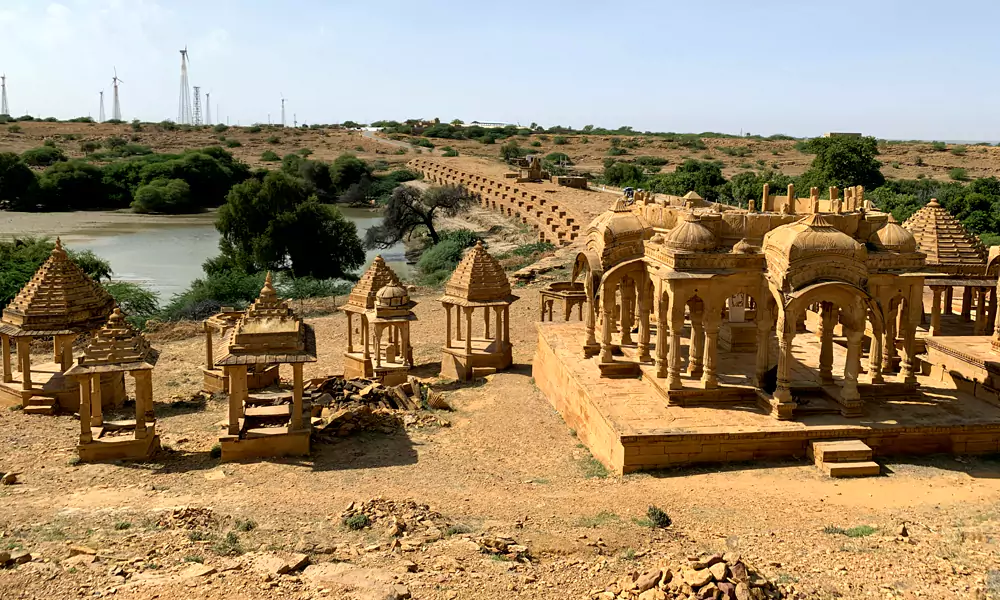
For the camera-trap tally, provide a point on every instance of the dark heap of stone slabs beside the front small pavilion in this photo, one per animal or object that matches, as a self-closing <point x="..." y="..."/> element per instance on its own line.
<point x="344" y="406"/>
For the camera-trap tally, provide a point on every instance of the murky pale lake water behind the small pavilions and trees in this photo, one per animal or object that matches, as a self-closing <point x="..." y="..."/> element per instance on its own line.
<point x="167" y="256"/>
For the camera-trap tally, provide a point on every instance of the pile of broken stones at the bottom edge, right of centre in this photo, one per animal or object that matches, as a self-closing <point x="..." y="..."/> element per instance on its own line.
<point x="704" y="577"/>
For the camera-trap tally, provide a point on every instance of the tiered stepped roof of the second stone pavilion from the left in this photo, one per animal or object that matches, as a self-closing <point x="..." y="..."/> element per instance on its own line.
<point x="116" y="346"/>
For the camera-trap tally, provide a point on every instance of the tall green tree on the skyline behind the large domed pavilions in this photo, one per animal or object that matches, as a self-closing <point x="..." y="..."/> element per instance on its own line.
<point x="843" y="162"/>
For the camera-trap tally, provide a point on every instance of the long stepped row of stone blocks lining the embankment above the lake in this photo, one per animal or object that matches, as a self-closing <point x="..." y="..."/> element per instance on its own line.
<point x="553" y="223"/>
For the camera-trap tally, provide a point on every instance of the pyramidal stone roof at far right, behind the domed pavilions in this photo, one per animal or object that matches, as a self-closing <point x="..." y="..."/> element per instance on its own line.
<point x="943" y="239"/>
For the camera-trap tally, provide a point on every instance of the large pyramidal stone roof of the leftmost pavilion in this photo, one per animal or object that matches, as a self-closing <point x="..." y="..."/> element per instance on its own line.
<point x="60" y="298"/>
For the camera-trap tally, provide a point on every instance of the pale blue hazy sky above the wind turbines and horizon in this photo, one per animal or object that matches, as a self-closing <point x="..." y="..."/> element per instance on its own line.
<point x="899" y="69"/>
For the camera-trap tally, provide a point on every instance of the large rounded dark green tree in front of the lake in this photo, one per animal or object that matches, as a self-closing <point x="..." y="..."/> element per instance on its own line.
<point x="272" y="223"/>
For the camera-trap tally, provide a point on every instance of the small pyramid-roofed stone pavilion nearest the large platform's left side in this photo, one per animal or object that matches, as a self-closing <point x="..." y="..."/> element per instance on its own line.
<point x="479" y="282"/>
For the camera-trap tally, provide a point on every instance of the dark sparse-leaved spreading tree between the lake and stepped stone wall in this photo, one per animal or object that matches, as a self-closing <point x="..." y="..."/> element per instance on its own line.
<point x="409" y="208"/>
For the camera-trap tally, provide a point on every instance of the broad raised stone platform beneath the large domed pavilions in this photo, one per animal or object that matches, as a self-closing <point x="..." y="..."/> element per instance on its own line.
<point x="628" y="425"/>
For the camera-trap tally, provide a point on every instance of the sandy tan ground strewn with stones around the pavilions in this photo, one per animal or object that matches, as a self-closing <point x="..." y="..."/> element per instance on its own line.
<point x="507" y="463"/>
